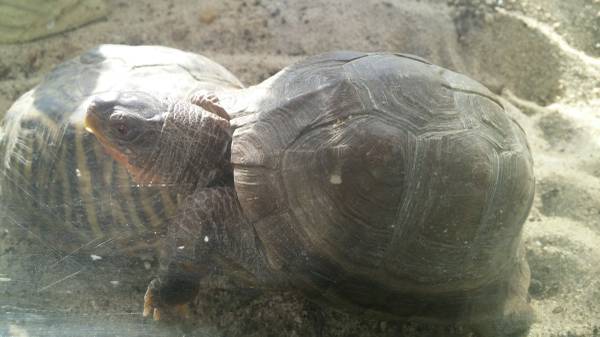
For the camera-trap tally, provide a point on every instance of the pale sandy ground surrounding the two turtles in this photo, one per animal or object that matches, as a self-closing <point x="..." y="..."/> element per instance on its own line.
<point x="543" y="55"/>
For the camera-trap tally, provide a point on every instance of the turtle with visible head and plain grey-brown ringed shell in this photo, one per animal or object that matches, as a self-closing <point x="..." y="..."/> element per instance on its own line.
<point x="375" y="182"/>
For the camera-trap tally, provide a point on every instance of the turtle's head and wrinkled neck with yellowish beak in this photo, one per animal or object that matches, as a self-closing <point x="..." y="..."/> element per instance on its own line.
<point x="160" y="140"/>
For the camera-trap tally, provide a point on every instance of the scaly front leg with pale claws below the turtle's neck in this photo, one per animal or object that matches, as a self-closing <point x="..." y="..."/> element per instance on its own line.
<point x="209" y="229"/>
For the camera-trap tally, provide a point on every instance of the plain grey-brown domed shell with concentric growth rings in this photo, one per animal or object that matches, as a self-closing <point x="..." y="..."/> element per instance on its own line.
<point x="387" y="182"/>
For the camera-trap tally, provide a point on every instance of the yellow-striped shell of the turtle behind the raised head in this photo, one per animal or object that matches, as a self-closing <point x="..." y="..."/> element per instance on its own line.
<point x="56" y="180"/>
